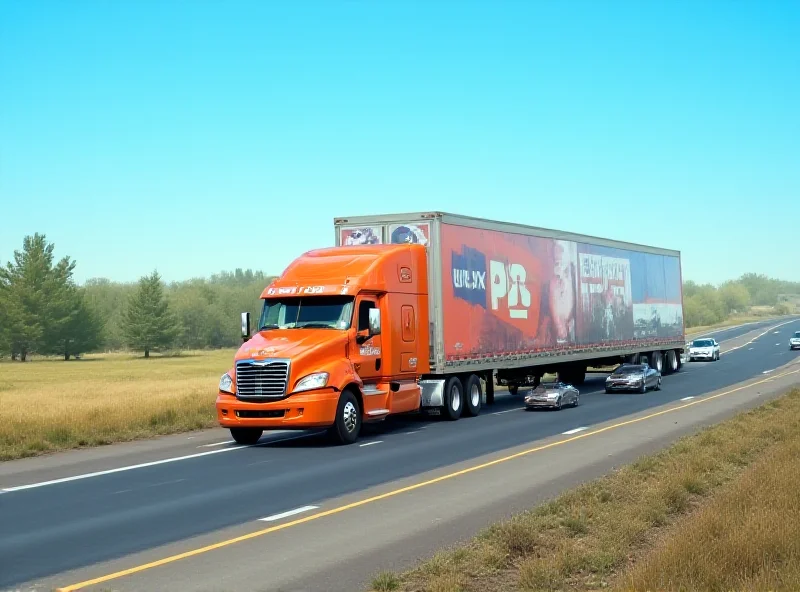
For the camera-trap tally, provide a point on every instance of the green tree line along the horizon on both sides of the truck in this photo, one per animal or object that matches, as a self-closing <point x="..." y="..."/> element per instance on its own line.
<point x="43" y="311"/>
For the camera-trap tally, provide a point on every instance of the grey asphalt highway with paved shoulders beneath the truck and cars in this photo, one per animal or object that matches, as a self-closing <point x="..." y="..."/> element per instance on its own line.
<point x="88" y="514"/>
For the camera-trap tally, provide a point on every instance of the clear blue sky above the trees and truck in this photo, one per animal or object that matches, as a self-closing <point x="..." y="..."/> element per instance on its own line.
<point x="199" y="136"/>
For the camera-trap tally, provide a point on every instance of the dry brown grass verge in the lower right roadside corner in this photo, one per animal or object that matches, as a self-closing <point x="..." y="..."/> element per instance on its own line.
<point x="716" y="511"/>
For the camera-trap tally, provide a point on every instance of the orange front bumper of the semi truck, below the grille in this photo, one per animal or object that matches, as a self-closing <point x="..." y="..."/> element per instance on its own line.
<point x="307" y="410"/>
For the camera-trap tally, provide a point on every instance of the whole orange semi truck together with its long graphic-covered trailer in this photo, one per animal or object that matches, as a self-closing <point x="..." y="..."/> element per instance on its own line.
<point x="428" y="311"/>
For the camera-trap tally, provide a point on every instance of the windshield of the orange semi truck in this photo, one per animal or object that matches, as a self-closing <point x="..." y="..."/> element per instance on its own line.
<point x="317" y="312"/>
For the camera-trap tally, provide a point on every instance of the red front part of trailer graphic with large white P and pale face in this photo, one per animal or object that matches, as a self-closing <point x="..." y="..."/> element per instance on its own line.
<point x="506" y="293"/>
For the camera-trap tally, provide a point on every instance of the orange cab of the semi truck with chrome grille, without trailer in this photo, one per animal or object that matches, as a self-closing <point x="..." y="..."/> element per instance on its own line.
<point x="342" y="339"/>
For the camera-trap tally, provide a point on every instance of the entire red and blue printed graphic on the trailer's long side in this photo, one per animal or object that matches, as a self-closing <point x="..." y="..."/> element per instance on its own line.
<point x="510" y="293"/>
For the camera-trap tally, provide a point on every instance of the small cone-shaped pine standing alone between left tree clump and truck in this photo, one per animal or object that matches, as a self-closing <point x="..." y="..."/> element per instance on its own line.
<point x="149" y="324"/>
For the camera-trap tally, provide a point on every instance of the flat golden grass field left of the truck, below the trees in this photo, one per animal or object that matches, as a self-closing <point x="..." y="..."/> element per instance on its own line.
<point x="49" y="405"/>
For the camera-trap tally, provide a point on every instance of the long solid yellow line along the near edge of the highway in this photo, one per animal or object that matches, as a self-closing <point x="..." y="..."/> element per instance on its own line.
<point x="396" y="492"/>
